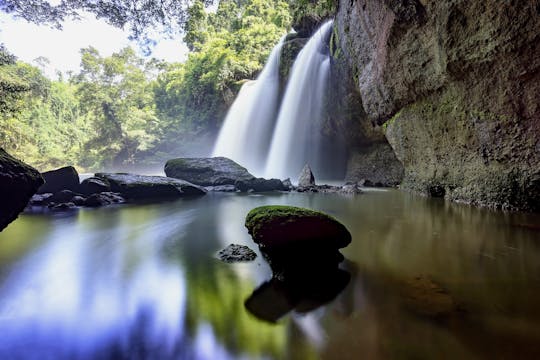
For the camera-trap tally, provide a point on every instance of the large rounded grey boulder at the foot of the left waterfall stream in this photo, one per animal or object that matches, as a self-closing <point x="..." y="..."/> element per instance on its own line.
<point x="207" y="171"/>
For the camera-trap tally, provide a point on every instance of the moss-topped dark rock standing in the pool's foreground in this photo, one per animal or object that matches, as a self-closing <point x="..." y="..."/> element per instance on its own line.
<point x="282" y="226"/>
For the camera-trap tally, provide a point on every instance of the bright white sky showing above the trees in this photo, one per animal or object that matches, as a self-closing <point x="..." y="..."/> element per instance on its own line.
<point x="29" y="41"/>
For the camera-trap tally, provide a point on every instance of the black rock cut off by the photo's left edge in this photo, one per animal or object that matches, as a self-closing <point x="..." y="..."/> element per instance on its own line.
<point x="18" y="182"/>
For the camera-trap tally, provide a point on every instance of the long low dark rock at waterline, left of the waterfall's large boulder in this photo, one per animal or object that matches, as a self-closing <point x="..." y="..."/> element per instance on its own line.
<point x="134" y="186"/>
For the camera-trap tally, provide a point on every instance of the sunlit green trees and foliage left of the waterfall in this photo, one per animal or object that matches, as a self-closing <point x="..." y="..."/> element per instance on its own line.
<point x="123" y="110"/>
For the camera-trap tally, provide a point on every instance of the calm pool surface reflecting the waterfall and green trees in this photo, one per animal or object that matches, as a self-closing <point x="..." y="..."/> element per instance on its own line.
<point x="143" y="282"/>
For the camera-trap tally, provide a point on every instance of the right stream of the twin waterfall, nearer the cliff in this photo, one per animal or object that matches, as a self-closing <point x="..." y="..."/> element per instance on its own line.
<point x="297" y="135"/>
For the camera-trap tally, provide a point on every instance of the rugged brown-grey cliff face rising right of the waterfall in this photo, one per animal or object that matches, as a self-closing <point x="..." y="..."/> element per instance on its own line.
<point x="455" y="86"/>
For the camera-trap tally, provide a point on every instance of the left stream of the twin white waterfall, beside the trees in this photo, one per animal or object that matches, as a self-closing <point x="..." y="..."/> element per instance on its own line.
<point x="245" y="134"/>
